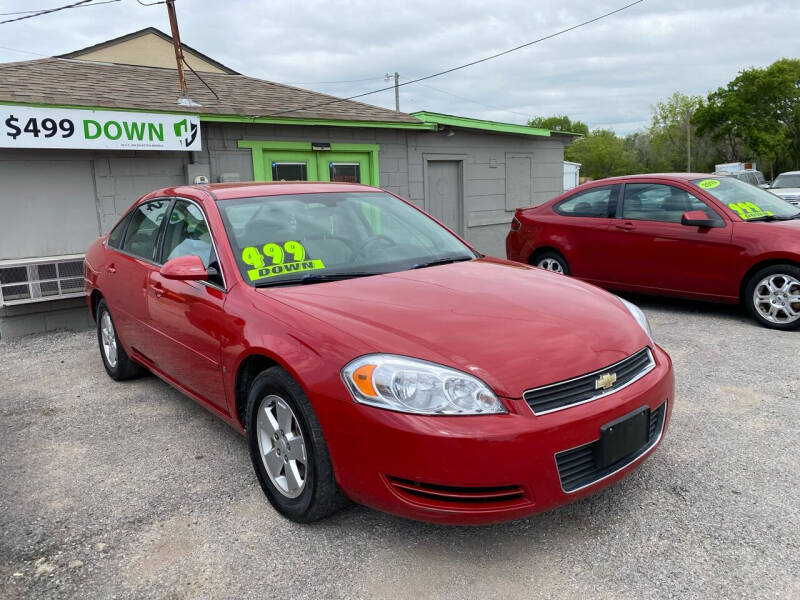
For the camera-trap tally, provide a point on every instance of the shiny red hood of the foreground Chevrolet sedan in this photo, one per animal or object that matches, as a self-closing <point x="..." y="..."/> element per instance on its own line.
<point x="512" y="325"/>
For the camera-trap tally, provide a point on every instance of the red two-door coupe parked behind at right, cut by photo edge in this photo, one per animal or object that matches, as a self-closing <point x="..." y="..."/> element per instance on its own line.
<point x="691" y="235"/>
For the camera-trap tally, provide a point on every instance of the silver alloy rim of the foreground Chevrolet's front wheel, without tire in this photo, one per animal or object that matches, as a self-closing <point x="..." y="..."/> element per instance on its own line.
<point x="282" y="446"/>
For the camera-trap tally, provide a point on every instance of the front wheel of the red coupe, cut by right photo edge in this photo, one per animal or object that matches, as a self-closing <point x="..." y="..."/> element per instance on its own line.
<point x="773" y="296"/>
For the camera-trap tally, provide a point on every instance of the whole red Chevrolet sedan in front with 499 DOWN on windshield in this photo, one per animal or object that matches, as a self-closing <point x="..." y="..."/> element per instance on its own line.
<point x="368" y="353"/>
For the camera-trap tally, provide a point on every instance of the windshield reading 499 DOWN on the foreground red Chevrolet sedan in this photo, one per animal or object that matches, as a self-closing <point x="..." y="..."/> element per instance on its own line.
<point x="307" y="238"/>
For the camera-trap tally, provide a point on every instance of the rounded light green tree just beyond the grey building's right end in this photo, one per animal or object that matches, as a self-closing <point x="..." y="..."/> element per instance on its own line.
<point x="602" y="154"/>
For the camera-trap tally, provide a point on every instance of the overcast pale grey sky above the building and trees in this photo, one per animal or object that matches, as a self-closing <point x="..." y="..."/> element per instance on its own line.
<point x="607" y="74"/>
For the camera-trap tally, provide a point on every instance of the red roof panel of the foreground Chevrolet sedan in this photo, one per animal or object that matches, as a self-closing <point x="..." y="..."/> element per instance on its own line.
<point x="229" y="191"/>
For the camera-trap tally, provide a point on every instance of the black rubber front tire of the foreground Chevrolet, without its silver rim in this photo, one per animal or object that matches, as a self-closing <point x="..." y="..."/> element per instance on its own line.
<point x="320" y="496"/>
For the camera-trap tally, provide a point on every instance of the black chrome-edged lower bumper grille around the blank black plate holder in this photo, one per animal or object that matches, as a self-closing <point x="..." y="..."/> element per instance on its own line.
<point x="577" y="469"/>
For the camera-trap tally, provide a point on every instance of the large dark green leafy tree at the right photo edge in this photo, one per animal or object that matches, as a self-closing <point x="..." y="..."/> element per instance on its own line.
<point x="758" y="110"/>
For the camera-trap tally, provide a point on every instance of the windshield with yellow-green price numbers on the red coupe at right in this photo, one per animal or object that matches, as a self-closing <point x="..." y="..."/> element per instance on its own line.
<point x="750" y="203"/>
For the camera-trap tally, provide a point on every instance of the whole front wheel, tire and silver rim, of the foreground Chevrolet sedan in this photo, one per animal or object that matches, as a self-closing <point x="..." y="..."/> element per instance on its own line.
<point x="288" y="451"/>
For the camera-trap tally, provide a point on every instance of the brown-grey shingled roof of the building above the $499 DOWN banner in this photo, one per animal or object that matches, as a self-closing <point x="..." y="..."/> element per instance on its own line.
<point x="83" y="83"/>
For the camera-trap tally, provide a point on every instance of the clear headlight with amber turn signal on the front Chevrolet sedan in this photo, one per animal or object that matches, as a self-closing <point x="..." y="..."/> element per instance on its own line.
<point x="416" y="386"/>
